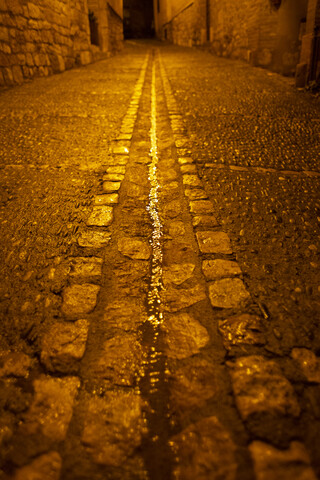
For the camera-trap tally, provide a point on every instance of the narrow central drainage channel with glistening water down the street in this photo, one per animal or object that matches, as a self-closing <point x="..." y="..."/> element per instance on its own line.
<point x="153" y="384"/>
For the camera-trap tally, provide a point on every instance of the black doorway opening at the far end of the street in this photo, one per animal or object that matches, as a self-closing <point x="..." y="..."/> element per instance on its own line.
<point x="138" y="19"/>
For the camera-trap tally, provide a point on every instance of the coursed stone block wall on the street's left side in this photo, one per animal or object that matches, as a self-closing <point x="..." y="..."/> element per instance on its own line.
<point x="41" y="37"/>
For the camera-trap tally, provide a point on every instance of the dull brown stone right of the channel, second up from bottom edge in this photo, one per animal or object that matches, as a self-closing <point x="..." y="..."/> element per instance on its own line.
<point x="192" y="385"/>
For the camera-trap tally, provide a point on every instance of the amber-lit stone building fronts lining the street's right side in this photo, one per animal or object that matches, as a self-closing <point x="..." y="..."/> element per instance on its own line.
<point x="282" y="35"/>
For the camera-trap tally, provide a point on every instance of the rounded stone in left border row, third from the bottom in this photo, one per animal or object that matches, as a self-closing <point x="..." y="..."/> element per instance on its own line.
<point x="63" y="346"/>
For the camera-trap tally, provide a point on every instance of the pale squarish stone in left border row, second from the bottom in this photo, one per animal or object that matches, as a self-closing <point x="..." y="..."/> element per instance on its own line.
<point x="52" y="407"/>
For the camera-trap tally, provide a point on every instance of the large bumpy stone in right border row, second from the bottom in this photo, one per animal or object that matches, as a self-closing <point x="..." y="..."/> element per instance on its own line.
<point x="260" y="387"/>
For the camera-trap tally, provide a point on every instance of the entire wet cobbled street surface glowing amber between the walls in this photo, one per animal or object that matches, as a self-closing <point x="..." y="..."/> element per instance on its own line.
<point x="160" y="258"/>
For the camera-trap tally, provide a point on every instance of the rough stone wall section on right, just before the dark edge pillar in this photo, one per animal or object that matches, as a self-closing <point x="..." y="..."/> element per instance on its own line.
<point x="255" y="31"/>
